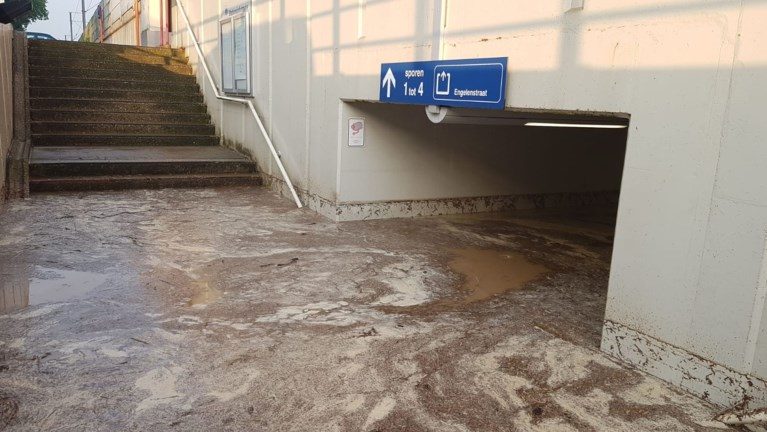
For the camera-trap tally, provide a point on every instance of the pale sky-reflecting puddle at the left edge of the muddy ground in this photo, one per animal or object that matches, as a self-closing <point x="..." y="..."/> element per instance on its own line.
<point x="44" y="285"/>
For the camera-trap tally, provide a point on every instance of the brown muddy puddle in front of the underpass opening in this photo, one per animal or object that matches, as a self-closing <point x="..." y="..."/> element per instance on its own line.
<point x="488" y="272"/>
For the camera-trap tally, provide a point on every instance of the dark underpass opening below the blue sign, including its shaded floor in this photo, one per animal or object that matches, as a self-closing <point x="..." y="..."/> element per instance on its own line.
<point x="535" y="191"/>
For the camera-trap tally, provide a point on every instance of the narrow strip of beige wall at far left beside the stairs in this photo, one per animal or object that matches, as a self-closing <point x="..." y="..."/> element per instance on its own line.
<point x="6" y="100"/>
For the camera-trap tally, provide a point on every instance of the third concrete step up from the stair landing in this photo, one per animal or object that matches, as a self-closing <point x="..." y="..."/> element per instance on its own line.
<point x="99" y="116"/>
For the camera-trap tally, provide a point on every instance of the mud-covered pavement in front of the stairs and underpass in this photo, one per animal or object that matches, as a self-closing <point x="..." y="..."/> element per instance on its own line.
<point x="227" y="309"/>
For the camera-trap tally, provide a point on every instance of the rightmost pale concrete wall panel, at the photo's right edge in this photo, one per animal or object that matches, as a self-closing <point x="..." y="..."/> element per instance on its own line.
<point x="735" y="256"/>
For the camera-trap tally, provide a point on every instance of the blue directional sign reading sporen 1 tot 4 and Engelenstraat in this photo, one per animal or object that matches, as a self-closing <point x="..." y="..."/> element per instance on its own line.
<point x="470" y="83"/>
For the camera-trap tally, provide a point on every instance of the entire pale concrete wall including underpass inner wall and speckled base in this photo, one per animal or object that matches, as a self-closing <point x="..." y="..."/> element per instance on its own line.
<point x="688" y="282"/>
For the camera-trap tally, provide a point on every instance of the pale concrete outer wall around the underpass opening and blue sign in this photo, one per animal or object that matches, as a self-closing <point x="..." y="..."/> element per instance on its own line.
<point x="689" y="262"/>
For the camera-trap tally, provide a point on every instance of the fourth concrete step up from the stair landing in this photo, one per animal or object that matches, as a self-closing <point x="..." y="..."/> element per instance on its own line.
<point x="117" y="105"/>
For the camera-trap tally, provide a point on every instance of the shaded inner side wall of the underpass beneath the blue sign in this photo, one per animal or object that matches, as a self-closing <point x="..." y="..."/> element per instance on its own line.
<point x="409" y="158"/>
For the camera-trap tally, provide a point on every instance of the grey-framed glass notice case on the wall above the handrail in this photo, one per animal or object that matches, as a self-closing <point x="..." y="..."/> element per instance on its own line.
<point x="234" y="38"/>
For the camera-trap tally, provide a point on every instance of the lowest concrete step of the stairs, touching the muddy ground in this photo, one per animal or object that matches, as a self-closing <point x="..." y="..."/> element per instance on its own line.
<point x="156" y="181"/>
